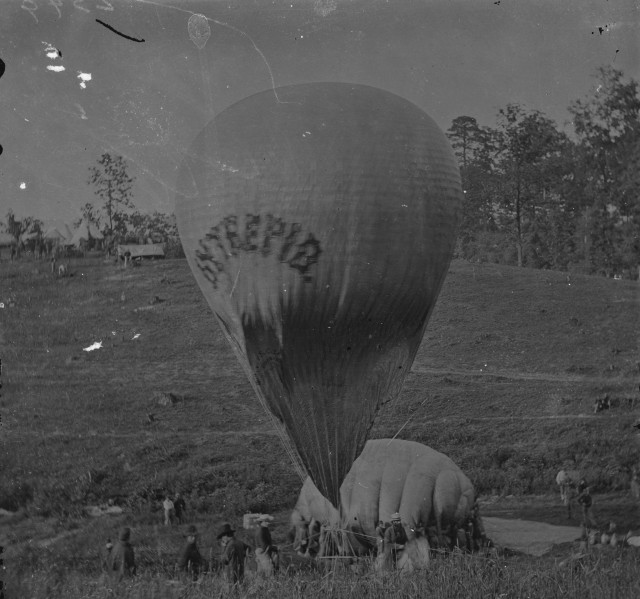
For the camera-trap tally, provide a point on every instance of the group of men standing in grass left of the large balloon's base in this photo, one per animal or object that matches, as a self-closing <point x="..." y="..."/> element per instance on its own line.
<point x="119" y="559"/>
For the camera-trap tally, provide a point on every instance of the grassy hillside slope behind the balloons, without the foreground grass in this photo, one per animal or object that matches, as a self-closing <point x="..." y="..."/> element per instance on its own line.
<point x="504" y="382"/>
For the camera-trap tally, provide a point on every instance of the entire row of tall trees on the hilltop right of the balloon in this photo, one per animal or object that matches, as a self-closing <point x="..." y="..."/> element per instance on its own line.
<point x="538" y="196"/>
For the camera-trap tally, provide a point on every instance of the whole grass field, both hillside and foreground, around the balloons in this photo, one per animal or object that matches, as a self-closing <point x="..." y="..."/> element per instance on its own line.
<point x="504" y="383"/>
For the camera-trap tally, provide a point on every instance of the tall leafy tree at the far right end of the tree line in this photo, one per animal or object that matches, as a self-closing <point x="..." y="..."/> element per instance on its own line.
<point x="607" y="185"/>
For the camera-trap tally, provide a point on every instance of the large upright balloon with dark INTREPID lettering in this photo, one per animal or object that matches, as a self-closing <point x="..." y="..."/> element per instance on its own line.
<point x="319" y="221"/>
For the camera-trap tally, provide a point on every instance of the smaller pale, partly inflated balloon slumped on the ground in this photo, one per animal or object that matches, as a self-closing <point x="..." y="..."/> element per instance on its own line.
<point x="392" y="475"/>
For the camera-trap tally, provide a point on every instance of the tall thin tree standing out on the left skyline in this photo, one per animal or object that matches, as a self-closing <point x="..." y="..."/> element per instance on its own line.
<point x="113" y="185"/>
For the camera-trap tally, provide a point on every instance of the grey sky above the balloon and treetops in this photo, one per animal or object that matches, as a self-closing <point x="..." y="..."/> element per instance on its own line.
<point x="134" y="78"/>
